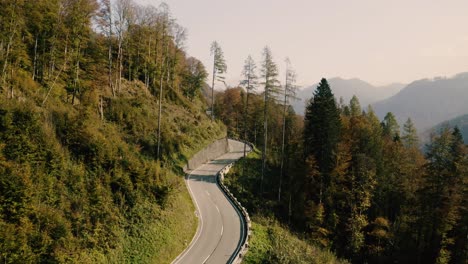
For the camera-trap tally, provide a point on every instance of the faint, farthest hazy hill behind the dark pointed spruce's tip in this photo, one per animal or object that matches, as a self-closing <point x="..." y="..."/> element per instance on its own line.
<point x="346" y="88"/>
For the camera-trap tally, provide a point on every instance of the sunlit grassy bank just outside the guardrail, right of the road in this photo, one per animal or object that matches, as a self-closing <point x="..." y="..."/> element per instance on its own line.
<point x="271" y="241"/>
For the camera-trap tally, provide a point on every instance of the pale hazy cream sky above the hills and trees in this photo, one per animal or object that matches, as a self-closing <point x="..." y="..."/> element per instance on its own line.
<point x="375" y="40"/>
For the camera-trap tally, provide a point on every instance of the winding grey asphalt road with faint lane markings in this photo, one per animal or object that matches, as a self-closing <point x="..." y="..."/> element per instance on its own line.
<point x="220" y="228"/>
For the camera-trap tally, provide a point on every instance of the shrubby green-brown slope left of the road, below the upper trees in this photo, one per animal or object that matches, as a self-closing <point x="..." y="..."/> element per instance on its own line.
<point x="79" y="189"/>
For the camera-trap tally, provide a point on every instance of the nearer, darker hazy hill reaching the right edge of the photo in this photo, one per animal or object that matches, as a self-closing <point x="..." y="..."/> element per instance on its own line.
<point x="429" y="101"/>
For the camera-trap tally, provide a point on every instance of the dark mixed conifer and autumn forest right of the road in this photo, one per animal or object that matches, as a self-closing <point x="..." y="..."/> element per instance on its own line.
<point x="349" y="182"/>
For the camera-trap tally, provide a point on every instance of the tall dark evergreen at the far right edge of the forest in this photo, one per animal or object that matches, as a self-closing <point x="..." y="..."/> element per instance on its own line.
<point x="443" y="194"/>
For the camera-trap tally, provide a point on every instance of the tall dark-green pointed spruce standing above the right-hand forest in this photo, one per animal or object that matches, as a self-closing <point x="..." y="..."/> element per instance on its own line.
<point x="322" y="131"/>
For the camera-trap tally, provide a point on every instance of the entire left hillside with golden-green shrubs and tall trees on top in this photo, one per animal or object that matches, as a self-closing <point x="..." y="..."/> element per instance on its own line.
<point x="100" y="108"/>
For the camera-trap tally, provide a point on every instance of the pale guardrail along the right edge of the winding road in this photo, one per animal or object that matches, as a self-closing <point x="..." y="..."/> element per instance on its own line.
<point x="244" y="245"/>
